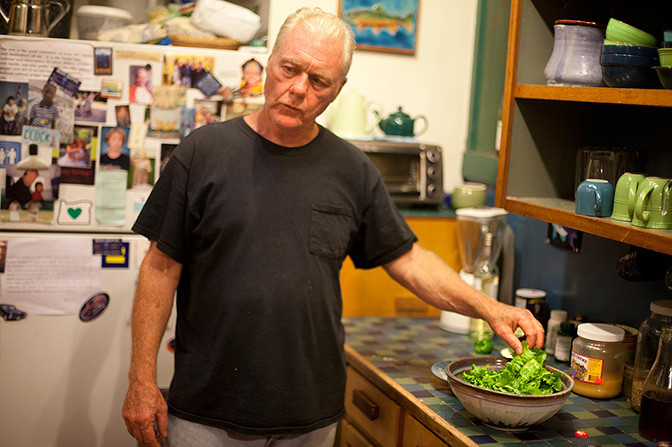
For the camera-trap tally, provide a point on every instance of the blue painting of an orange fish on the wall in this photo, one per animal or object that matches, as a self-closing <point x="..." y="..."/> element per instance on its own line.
<point x="382" y="25"/>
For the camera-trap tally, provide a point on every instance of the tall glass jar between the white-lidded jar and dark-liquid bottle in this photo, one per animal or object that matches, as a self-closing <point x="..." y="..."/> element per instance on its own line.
<point x="647" y="347"/>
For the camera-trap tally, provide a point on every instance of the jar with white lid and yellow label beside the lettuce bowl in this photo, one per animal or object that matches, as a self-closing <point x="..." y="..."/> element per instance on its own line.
<point x="598" y="360"/>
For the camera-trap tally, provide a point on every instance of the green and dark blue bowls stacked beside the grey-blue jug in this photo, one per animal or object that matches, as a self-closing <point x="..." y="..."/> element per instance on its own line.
<point x="628" y="57"/>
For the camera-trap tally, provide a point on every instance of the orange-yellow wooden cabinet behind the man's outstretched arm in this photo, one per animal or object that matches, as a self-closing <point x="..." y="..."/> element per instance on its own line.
<point x="374" y="293"/>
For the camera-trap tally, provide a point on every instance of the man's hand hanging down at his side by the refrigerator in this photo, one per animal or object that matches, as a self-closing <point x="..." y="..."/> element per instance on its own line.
<point x="145" y="404"/>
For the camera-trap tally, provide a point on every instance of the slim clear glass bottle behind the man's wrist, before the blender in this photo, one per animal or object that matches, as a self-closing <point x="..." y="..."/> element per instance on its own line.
<point x="486" y="280"/>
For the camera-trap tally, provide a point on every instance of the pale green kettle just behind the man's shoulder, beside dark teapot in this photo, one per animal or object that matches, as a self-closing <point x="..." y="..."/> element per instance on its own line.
<point x="350" y="116"/>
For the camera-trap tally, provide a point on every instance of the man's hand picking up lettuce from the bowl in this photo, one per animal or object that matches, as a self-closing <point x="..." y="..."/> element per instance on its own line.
<point x="504" y="320"/>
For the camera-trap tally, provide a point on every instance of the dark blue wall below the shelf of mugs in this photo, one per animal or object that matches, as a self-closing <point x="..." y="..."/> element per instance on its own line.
<point x="585" y="283"/>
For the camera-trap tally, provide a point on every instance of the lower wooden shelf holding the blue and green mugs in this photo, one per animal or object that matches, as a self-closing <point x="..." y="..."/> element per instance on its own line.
<point x="561" y="212"/>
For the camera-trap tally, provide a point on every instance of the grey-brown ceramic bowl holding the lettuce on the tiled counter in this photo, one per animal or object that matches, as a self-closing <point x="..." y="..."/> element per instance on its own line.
<point x="504" y="411"/>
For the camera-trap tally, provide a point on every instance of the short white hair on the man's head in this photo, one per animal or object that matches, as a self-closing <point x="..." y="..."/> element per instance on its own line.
<point x="328" y="25"/>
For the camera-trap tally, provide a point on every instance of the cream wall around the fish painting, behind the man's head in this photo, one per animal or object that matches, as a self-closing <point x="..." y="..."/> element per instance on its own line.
<point x="435" y="82"/>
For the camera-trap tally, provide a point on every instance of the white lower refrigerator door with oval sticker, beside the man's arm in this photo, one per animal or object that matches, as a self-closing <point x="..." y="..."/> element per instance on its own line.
<point x="64" y="380"/>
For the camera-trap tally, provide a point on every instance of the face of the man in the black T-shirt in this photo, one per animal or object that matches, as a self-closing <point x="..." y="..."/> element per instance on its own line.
<point x="303" y="78"/>
